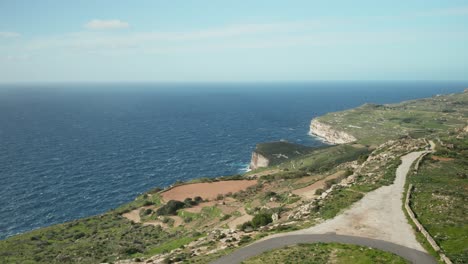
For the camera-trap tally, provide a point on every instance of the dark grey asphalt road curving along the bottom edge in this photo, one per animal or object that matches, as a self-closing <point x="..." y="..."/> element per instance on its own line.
<point x="413" y="255"/>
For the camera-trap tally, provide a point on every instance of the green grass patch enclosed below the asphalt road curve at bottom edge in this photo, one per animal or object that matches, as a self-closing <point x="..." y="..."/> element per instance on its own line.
<point x="326" y="253"/>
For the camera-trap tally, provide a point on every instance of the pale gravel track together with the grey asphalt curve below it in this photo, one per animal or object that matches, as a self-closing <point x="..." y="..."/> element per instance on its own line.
<point x="376" y="221"/>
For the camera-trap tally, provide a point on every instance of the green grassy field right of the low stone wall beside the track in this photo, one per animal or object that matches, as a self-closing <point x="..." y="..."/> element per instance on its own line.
<point x="440" y="197"/>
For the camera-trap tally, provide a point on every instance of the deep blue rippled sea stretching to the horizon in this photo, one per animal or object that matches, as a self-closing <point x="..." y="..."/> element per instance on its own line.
<point x="75" y="150"/>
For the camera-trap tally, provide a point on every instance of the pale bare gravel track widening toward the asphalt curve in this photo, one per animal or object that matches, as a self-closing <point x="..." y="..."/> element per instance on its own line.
<point x="379" y="215"/>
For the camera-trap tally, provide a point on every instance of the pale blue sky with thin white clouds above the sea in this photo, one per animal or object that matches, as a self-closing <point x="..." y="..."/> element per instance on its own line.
<point x="230" y="41"/>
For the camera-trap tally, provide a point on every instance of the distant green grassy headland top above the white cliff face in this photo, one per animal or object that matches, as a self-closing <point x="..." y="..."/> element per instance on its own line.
<point x="375" y="124"/>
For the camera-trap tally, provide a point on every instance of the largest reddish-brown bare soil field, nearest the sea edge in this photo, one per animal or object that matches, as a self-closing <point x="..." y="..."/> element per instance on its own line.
<point x="206" y="190"/>
